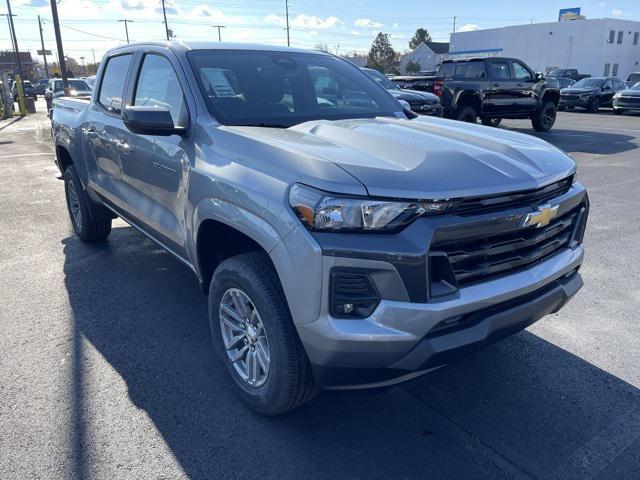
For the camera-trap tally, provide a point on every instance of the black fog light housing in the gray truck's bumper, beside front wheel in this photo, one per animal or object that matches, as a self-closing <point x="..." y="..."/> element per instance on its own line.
<point x="352" y="294"/>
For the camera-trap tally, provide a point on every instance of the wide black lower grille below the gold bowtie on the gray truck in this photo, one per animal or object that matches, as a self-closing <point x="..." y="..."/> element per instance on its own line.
<point x="480" y="259"/>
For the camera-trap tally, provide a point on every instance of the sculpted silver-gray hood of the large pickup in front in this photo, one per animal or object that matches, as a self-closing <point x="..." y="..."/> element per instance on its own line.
<point x="424" y="158"/>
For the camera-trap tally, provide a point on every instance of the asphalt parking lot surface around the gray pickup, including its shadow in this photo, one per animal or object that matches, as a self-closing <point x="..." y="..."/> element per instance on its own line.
<point x="107" y="370"/>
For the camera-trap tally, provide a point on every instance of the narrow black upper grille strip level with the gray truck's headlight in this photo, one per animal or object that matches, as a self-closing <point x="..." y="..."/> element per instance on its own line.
<point x="517" y="199"/>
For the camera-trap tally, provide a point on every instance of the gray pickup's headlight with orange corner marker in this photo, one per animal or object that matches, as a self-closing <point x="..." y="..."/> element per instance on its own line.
<point x="322" y="211"/>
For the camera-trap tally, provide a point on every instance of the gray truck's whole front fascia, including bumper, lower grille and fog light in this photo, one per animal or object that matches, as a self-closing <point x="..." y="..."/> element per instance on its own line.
<point x="390" y="331"/>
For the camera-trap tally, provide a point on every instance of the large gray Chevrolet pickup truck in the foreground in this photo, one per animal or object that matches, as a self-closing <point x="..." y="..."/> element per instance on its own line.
<point x="342" y="242"/>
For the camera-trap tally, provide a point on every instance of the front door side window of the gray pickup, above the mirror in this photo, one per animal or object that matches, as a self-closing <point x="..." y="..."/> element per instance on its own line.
<point x="158" y="86"/>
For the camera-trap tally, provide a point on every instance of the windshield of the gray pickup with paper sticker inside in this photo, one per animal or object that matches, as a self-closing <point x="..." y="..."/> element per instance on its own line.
<point x="281" y="89"/>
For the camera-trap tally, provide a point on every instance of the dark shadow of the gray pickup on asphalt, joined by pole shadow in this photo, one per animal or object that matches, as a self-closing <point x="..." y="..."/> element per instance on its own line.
<point x="522" y="402"/>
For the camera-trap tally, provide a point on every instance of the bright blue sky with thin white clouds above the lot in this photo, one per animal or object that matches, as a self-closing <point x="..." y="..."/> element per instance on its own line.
<point x="91" y="27"/>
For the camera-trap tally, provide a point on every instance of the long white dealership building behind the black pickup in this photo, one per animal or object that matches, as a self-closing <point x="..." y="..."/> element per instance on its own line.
<point x="598" y="47"/>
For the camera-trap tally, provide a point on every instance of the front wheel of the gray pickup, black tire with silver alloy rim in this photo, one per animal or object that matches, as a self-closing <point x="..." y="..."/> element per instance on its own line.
<point x="287" y="382"/>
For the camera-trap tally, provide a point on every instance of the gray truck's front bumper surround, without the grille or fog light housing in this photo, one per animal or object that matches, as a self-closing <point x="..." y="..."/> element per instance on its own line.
<point x="409" y="334"/>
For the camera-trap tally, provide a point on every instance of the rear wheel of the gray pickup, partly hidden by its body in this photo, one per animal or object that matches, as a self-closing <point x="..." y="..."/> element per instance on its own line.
<point x="90" y="221"/>
